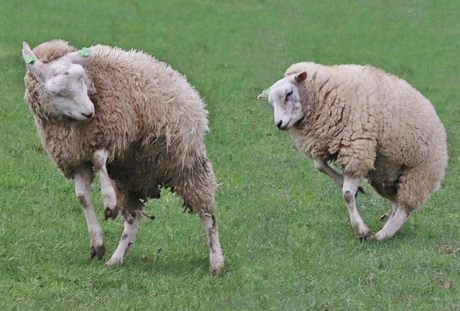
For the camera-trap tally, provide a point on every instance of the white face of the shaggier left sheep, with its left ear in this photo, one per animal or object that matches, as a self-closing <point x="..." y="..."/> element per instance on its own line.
<point x="64" y="83"/>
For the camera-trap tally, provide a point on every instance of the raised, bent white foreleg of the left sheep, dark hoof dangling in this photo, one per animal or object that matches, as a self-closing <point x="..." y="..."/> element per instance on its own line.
<point x="109" y="196"/>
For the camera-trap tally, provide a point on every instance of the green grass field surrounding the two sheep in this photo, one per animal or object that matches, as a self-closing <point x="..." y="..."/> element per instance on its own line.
<point x="284" y="227"/>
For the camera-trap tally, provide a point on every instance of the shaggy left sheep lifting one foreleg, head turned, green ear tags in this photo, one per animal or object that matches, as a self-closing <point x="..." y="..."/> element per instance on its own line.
<point x="133" y="119"/>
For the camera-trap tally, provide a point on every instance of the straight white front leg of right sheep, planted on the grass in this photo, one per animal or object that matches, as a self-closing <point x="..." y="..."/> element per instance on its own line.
<point x="350" y="187"/>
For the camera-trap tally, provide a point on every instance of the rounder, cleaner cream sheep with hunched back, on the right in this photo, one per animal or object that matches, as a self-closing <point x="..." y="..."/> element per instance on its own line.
<point x="373" y="125"/>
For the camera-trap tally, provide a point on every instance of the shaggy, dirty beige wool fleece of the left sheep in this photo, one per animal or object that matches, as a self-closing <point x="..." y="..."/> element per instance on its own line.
<point x="147" y="116"/>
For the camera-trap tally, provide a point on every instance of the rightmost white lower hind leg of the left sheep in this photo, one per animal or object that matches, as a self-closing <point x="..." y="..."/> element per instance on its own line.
<point x="216" y="258"/>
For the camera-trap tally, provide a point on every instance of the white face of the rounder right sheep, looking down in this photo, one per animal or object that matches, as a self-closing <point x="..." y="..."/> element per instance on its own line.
<point x="285" y="98"/>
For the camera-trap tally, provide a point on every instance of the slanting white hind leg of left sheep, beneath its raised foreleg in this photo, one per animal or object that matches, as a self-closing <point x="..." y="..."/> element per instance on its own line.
<point x="131" y="226"/>
